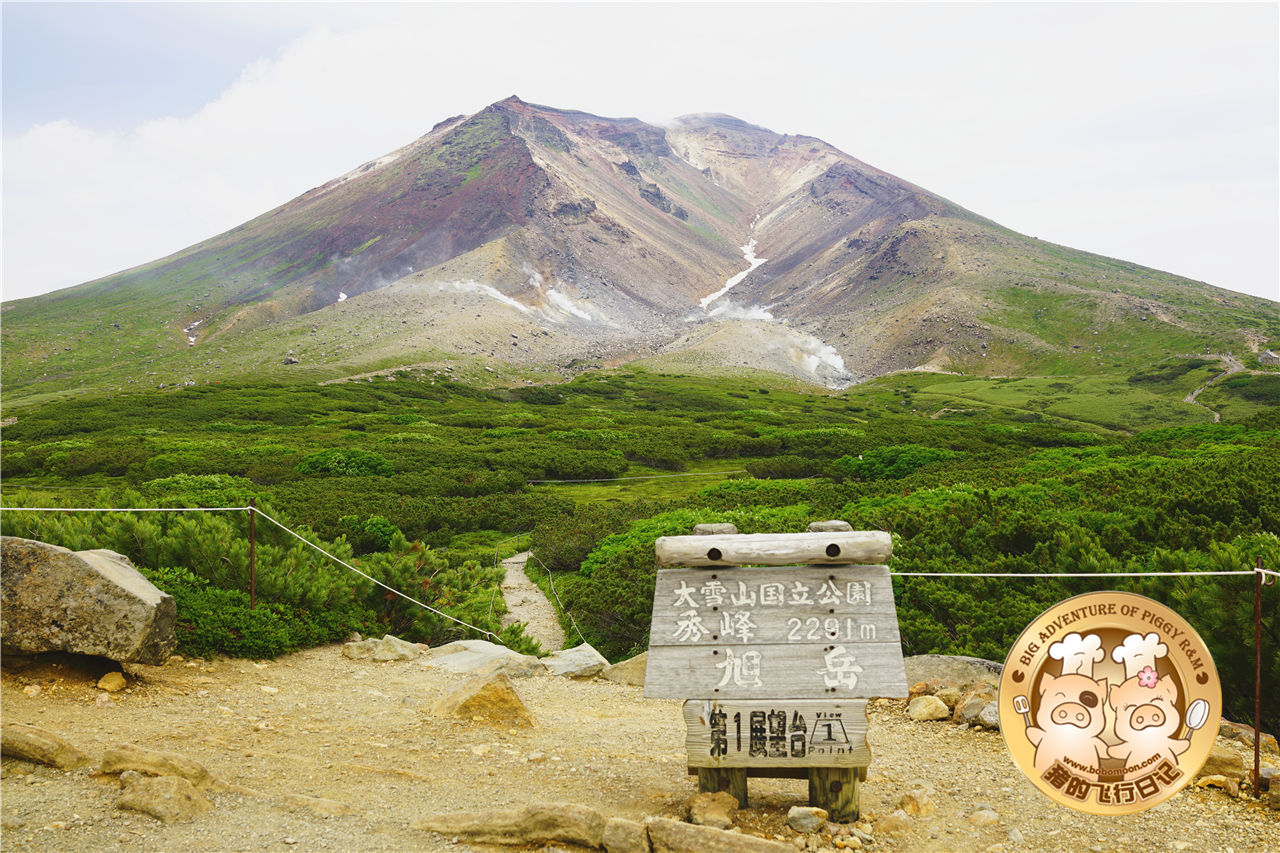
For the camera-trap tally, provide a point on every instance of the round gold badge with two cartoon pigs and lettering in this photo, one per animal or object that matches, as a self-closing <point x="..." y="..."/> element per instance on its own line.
<point x="1110" y="703"/>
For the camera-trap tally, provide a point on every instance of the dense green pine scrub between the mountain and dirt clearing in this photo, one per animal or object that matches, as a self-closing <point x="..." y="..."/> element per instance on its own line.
<point x="424" y="485"/>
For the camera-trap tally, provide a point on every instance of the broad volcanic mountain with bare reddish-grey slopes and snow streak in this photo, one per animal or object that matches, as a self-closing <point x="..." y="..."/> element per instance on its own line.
<point x="541" y="241"/>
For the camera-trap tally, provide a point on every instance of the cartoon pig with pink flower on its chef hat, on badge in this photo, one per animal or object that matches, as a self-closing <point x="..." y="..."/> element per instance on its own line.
<point x="1146" y="705"/>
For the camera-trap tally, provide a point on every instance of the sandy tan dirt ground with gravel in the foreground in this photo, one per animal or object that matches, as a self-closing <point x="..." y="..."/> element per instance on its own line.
<point x="360" y="733"/>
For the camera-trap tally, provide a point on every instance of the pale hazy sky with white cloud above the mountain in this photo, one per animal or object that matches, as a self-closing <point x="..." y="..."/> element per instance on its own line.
<point x="1148" y="133"/>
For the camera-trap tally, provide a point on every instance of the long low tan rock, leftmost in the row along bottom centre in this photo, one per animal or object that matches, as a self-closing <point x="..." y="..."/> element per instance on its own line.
<point x="534" y="824"/>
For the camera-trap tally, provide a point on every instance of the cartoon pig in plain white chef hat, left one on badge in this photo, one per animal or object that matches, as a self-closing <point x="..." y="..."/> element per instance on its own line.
<point x="1071" y="714"/>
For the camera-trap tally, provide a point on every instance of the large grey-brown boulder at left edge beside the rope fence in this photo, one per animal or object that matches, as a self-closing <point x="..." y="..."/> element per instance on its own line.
<point x="86" y="603"/>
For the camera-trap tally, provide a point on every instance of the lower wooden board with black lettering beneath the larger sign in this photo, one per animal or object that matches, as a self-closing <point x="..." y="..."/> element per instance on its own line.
<point x="775" y="735"/>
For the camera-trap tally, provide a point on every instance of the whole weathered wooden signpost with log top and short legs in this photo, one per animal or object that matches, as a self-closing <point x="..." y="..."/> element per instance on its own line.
<point x="778" y="663"/>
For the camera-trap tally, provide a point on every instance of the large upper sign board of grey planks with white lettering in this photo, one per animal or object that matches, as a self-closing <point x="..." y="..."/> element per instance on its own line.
<point x="790" y="633"/>
